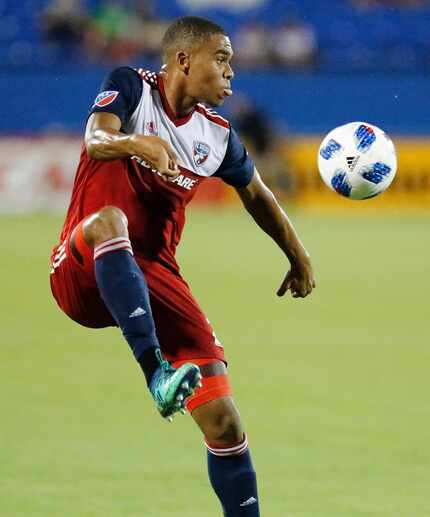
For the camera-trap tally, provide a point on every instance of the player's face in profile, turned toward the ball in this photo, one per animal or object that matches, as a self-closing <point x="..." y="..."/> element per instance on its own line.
<point x="210" y="71"/>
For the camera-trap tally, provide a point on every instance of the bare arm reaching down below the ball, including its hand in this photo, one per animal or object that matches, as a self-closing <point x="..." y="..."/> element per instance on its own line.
<point x="260" y="202"/>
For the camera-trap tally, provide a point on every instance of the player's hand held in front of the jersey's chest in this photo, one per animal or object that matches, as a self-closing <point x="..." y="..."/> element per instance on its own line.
<point x="157" y="153"/>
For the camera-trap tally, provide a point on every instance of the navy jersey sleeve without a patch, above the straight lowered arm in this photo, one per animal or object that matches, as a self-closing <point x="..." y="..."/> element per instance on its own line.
<point x="237" y="168"/>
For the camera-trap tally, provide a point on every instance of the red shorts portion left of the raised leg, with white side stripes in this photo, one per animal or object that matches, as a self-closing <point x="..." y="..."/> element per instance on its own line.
<point x="73" y="282"/>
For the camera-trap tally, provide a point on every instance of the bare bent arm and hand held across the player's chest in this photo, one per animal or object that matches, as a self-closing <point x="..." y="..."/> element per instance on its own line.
<point x="104" y="141"/>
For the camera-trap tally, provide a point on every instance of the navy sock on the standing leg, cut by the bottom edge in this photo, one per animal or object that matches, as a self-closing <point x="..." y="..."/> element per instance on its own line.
<point x="233" y="478"/>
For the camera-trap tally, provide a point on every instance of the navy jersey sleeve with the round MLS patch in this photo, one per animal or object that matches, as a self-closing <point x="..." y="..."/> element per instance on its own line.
<point x="120" y="93"/>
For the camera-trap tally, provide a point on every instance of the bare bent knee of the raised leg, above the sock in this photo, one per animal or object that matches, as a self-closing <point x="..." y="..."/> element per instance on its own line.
<point x="108" y="223"/>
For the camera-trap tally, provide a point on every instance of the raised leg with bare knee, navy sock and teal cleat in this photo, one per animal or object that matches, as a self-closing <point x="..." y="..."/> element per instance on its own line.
<point x="102" y="244"/>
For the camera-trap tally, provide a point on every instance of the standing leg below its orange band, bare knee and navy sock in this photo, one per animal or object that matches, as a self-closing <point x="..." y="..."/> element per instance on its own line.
<point x="230" y="468"/>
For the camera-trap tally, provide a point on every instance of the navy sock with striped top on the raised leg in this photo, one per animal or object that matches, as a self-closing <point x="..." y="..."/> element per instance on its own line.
<point x="124" y="290"/>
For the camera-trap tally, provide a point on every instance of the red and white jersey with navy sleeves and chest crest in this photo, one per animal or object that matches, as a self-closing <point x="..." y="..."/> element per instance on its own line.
<point x="204" y="142"/>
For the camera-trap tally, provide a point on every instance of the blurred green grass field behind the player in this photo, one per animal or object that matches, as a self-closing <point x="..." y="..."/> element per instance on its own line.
<point x="334" y="389"/>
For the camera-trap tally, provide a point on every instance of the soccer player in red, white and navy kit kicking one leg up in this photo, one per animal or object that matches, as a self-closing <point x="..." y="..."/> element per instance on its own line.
<point x="150" y="141"/>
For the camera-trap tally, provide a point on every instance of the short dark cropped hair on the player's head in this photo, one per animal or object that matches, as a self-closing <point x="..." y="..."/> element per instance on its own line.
<point x="188" y="31"/>
